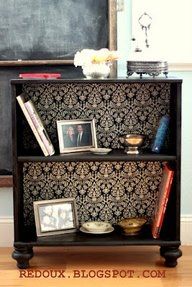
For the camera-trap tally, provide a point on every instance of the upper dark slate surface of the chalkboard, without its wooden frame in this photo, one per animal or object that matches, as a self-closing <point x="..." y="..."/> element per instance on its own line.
<point x="51" y="29"/>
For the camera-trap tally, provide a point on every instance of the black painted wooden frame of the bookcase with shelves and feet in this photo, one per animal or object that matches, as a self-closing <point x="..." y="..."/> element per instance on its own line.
<point x="170" y="235"/>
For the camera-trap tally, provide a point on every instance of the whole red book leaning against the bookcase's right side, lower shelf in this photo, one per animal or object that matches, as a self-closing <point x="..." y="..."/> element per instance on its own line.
<point x="164" y="192"/>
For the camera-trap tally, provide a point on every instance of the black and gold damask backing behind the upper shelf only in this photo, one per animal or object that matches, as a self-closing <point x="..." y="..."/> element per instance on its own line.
<point x="118" y="108"/>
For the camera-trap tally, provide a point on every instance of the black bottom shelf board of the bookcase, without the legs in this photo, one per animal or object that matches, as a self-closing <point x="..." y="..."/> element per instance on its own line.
<point x="81" y="239"/>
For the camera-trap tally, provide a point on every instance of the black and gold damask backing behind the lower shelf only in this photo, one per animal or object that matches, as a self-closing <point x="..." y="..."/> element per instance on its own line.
<point x="103" y="190"/>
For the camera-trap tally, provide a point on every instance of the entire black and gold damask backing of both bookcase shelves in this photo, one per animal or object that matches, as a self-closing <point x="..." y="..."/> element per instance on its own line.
<point x="103" y="190"/>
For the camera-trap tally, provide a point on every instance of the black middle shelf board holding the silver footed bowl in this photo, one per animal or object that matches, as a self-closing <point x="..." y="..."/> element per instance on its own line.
<point x="115" y="155"/>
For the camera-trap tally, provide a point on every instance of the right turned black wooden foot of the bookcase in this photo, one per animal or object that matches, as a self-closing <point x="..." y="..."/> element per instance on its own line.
<point x="171" y="254"/>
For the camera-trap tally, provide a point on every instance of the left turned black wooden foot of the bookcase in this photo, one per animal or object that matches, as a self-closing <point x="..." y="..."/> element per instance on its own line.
<point x="22" y="255"/>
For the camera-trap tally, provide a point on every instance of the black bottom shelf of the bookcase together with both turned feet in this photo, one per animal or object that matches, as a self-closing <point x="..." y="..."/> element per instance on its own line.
<point x="23" y="252"/>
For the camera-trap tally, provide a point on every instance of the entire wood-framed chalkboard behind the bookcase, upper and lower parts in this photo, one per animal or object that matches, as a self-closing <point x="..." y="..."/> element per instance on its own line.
<point x="45" y="34"/>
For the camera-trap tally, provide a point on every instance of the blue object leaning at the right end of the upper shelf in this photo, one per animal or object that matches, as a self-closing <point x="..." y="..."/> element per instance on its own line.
<point x="161" y="134"/>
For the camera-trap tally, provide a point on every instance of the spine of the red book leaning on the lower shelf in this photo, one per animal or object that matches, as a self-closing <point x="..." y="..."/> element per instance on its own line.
<point x="159" y="221"/>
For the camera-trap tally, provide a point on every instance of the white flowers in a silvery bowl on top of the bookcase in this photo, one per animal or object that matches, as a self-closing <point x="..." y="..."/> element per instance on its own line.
<point x="95" y="63"/>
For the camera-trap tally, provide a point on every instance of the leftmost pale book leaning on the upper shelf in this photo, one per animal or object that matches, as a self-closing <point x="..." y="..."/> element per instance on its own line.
<point x="21" y="102"/>
